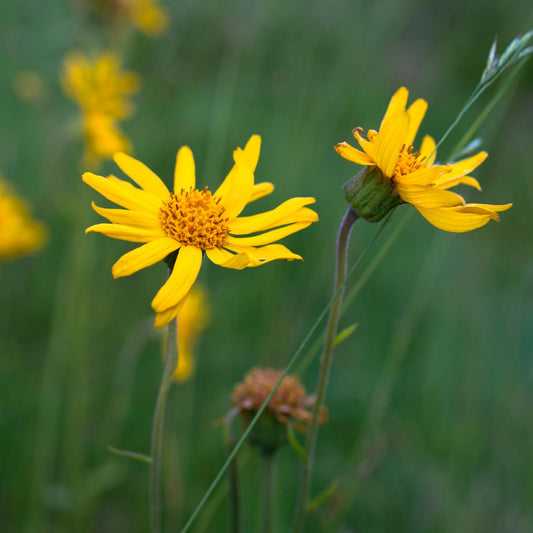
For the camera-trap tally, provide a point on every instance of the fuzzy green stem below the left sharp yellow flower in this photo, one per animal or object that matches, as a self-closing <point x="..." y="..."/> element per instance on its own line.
<point x="157" y="428"/>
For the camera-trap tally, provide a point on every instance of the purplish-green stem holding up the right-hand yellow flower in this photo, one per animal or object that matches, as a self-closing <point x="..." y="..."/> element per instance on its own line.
<point x="305" y="481"/>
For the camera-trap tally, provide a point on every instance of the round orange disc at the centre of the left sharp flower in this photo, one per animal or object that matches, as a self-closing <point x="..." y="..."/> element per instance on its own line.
<point x="195" y="218"/>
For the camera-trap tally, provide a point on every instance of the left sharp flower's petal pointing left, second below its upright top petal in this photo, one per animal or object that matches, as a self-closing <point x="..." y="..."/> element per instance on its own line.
<point x="123" y="193"/>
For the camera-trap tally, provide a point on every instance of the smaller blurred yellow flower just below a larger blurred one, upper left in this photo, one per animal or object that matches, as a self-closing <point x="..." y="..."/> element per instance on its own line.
<point x="103" y="138"/>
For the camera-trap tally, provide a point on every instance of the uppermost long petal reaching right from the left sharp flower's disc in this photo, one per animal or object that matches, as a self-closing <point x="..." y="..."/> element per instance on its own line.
<point x="270" y="219"/>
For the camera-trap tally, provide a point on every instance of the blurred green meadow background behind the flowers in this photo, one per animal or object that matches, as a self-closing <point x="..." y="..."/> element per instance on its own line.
<point x="430" y="400"/>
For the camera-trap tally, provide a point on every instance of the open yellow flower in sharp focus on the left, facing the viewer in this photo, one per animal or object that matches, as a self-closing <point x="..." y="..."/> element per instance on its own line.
<point x="193" y="221"/>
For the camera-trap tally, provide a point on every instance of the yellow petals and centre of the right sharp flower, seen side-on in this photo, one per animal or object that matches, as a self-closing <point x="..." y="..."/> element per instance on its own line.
<point x="413" y="175"/>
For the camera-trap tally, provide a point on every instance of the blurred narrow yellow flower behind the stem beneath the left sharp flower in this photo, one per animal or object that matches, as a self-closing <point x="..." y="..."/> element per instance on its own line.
<point x="192" y="319"/>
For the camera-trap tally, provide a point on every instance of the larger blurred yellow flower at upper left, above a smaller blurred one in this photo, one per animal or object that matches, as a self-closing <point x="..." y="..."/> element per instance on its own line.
<point x="99" y="85"/>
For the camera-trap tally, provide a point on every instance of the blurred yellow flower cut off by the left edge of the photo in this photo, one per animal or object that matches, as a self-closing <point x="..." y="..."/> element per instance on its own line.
<point x="19" y="233"/>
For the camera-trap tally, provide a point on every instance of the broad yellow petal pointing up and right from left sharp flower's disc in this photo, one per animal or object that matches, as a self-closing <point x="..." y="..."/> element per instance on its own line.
<point x="236" y="189"/>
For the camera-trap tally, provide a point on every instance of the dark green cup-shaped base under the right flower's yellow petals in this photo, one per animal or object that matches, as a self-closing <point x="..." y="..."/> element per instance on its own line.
<point x="371" y="195"/>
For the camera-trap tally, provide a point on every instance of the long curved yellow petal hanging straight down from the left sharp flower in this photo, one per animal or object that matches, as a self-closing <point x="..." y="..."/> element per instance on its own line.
<point x="181" y="279"/>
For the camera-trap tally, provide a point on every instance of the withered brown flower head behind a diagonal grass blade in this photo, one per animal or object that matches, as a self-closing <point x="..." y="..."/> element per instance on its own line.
<point x="289" y="404"/>
